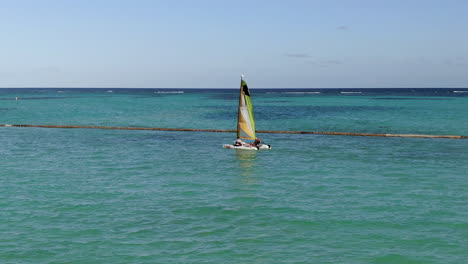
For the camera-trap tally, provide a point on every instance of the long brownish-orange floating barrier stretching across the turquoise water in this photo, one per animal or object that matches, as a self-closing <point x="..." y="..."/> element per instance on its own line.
<point x="258" y="131"/>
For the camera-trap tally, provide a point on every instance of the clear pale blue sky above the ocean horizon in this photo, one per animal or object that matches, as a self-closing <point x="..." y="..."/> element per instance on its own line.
<point x="208" y="43"/>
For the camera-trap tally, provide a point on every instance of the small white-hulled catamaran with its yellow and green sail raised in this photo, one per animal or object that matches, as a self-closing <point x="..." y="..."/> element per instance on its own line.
<point x="246" y="122"/>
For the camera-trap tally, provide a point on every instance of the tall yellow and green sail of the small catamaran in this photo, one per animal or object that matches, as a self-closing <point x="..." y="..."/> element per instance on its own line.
<point x="245" y="120"/>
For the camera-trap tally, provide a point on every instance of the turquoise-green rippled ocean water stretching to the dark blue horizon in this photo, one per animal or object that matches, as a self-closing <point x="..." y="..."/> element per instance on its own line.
<point x="124" y="196"/>
